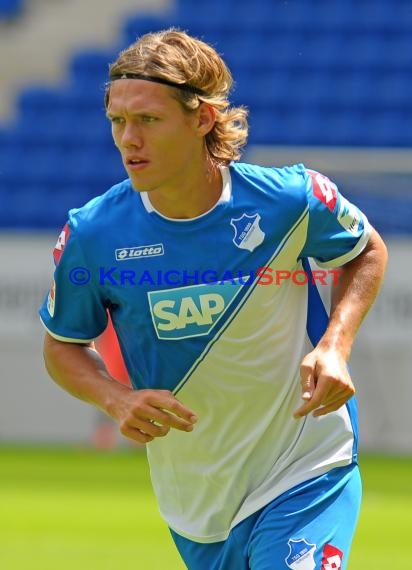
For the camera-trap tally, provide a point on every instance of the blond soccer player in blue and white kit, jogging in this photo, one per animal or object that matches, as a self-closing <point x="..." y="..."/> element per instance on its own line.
<point x="240" y="386"/>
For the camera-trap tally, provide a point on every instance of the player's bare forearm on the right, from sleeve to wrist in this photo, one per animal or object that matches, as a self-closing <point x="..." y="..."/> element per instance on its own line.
<point x="354" y="294"/>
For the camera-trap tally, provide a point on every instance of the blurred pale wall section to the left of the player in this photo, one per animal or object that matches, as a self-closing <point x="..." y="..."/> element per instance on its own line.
<point x="32" y="407"/>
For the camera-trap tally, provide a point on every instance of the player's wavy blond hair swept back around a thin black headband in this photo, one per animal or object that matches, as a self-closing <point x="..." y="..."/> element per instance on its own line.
<point x="176" y="57"/>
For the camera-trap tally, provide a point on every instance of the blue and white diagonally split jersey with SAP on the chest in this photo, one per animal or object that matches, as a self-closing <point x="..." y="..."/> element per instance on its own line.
<point x="220" y="309"/>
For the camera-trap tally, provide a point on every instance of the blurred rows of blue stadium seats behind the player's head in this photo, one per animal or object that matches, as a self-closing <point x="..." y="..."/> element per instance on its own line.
<point x="313" y="73"/>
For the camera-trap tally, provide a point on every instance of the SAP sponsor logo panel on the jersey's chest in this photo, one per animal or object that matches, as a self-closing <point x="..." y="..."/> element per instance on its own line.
<point x="192" y="311"/>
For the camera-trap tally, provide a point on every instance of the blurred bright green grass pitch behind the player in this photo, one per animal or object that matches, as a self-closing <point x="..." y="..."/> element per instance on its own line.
<point x="94" y="510"/>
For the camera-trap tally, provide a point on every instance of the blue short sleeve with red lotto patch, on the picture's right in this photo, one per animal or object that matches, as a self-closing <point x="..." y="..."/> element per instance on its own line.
<point x="338" y="231"/>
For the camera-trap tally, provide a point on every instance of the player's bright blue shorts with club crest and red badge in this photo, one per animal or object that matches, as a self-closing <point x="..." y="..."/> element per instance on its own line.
<point x="309" y="527"/>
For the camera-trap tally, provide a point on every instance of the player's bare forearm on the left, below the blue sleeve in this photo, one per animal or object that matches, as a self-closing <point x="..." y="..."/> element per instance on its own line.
<point x="79" y="370"/>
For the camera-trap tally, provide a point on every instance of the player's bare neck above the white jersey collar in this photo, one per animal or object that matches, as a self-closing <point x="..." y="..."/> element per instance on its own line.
<point x="191" y="200"/>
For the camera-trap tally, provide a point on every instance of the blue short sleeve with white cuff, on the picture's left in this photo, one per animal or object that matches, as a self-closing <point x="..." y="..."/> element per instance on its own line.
<point x="73" y="310"/>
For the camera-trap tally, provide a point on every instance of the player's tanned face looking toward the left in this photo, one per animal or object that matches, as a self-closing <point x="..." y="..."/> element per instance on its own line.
<point x="161" y="146"/>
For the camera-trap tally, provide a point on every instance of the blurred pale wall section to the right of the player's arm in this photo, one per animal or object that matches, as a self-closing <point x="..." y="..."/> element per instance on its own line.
<point x="381" y="361"/>
